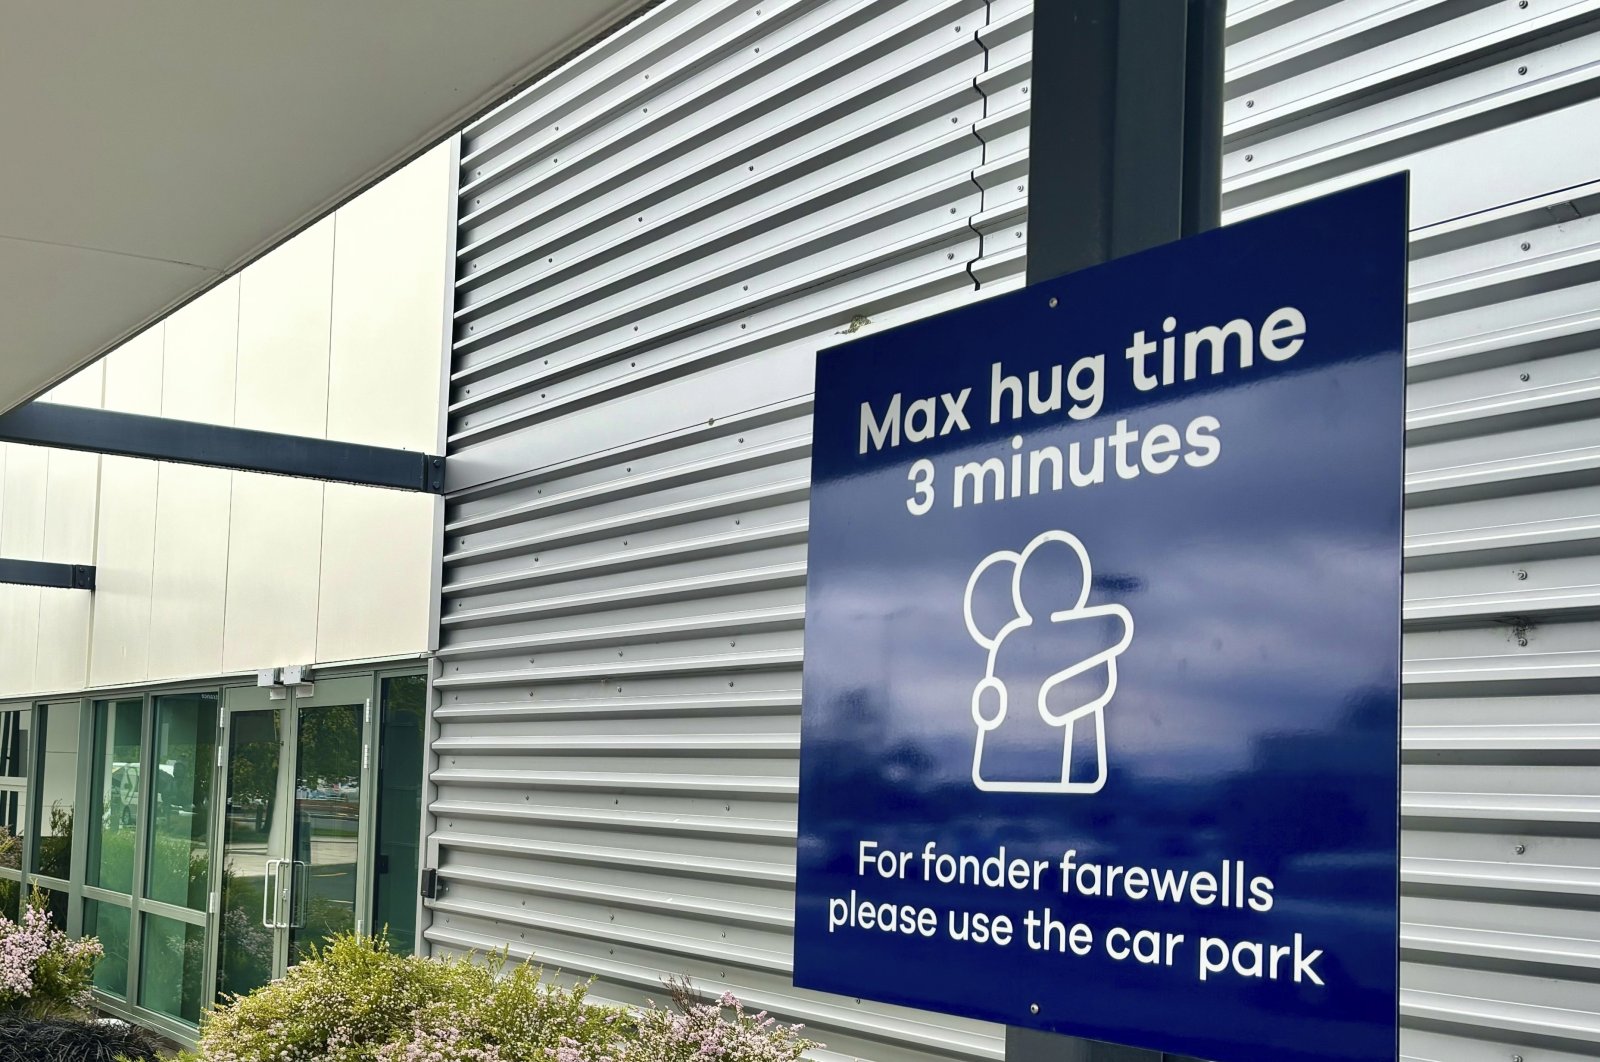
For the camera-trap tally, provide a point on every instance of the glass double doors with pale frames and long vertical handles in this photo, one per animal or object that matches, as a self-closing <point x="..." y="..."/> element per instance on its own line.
<point x="290" y="832"/>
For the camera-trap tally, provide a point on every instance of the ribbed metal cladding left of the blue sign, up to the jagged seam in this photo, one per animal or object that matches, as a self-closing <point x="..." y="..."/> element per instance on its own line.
<point x="654" y="244"/>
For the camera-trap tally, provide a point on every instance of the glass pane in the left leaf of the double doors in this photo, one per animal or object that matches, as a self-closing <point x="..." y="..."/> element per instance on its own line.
<point x="252" y="818"/>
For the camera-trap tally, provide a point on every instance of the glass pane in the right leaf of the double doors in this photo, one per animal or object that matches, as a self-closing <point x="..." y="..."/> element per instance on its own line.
<point x="327" y="810"/>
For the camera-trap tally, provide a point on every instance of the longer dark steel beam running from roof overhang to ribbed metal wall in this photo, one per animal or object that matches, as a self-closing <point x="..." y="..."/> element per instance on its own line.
<point x="186" y="442"/>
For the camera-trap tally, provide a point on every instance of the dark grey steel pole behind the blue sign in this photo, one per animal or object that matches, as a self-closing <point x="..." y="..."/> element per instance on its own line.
<point x="1126" y="153"/>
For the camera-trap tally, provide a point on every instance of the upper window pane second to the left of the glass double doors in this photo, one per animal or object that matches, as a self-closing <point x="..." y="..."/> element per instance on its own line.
<point x="116" y="794"/>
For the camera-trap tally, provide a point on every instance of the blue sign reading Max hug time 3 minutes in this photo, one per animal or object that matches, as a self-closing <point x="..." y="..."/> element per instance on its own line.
<point x="1103" y="649"/>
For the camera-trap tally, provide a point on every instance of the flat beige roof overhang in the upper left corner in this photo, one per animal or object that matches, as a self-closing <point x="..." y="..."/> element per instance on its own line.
<point x="151" y="150"/>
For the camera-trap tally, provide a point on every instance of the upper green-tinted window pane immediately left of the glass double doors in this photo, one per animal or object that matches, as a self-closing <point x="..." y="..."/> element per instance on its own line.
<point x="182" y="770"/>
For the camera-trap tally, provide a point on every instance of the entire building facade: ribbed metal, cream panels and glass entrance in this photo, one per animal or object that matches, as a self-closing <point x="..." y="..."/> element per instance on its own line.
<point x="602" y="303"/>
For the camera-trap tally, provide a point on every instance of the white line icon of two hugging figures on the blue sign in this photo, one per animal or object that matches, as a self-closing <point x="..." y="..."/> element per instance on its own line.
<point x="1058" y="559"/>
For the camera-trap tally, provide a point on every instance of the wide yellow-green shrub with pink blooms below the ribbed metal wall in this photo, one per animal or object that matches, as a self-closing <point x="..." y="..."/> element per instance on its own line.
<point x="358" y="1002"/>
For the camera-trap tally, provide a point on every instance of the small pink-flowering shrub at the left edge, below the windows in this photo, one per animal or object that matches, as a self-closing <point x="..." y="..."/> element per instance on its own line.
<point x="42" y="972"/>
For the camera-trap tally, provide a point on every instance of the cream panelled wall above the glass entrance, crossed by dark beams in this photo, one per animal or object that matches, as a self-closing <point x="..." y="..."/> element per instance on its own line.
<point x="204" y="572"/>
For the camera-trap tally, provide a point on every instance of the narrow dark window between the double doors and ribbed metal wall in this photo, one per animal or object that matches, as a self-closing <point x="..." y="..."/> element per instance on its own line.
<point x="399" y="810"/>
